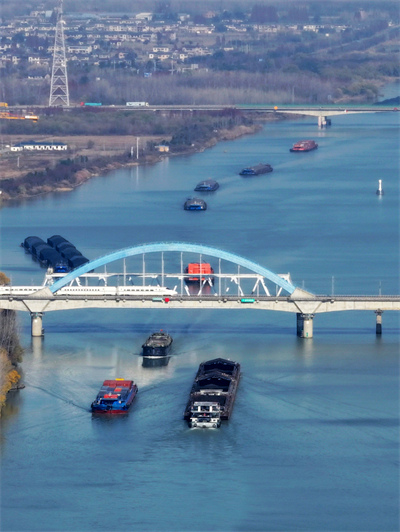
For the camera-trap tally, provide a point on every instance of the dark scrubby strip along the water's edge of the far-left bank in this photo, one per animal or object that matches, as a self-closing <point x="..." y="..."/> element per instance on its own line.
<point x="68" y="174"/>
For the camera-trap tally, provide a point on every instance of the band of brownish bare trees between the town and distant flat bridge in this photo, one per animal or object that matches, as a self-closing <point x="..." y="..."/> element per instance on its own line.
<point x="313" y="82"/>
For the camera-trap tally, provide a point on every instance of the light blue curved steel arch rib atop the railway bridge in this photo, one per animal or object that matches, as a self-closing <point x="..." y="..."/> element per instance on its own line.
<point x="172" y="246"/>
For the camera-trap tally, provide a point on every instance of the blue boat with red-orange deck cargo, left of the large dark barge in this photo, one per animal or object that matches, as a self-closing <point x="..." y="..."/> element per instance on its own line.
<point x="114" y="397"/>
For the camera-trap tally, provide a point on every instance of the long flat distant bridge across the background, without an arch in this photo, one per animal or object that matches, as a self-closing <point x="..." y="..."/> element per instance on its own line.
<point x="323" y="112"/>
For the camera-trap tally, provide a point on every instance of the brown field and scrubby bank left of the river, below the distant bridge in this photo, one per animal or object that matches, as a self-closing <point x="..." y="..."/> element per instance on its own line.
<point x="27" y="173"/>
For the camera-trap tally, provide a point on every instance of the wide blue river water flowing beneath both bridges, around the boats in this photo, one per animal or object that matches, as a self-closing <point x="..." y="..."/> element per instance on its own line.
<point x="313" y="441"/>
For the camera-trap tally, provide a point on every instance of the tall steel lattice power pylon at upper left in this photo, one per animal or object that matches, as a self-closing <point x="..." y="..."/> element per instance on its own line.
<point x="59" y="95"/>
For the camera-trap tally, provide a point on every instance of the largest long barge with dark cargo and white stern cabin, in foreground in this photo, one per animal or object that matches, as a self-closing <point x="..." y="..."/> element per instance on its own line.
<point x="213" y="393"/>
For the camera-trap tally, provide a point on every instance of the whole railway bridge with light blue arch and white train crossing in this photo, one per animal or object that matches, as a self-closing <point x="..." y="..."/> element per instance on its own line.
<point x="248" y="286"/>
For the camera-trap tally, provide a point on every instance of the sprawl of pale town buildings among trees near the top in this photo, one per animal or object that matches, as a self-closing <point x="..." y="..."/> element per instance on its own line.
<point x="142" y="41"/>
